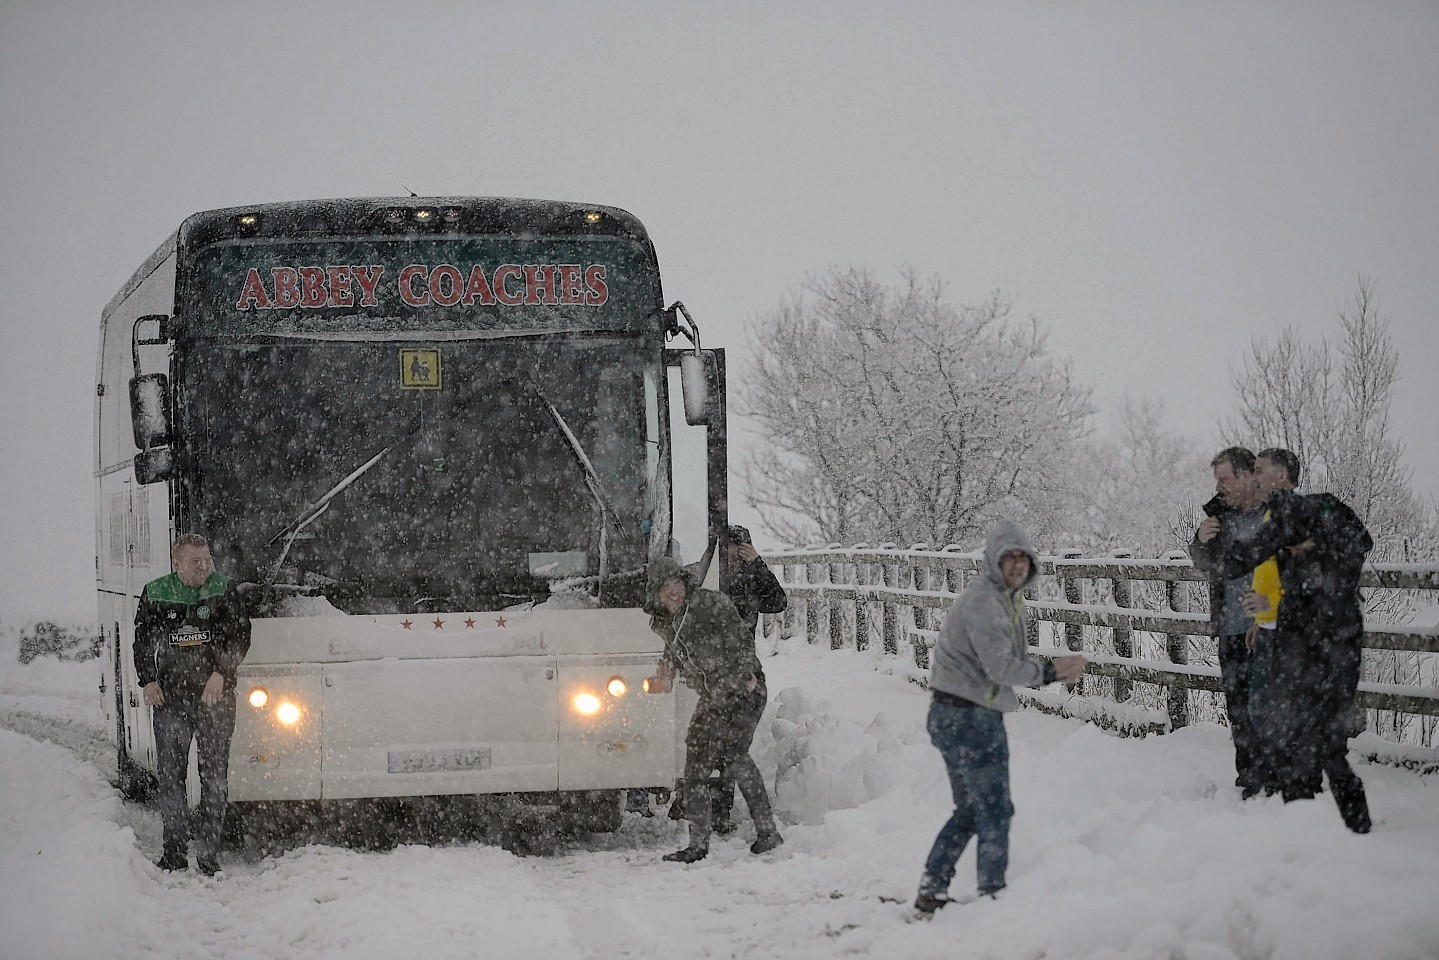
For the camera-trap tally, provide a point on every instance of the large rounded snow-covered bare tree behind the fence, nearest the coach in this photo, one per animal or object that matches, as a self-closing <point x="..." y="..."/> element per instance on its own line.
<point x="890" y="414"/>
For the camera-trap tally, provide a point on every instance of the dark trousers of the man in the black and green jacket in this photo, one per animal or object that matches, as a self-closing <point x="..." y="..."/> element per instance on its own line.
<point x="211" y="728"/>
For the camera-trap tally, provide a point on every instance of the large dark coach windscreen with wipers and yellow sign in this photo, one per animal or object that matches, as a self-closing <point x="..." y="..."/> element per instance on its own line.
<point x="478" y="471"/>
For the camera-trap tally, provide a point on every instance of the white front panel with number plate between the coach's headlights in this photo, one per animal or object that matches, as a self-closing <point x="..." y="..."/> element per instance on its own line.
<point x="428" y="728"/>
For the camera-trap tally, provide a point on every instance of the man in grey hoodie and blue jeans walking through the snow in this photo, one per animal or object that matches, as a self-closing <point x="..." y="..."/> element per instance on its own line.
<point x="979" y="660"/>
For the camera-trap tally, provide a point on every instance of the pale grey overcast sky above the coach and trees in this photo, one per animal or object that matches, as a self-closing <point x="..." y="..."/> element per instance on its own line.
<point x="1158" y="182"/>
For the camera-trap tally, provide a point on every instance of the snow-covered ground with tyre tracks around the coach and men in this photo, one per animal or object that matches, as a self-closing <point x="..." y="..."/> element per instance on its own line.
<point x="1122" y="848"/>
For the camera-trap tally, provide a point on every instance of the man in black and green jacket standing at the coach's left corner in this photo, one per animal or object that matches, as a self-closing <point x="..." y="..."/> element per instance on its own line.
<point x="192" y="634"/>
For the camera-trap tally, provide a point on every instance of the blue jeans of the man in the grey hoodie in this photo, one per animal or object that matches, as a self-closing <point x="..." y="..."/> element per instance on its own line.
<point x="976" y="755"/>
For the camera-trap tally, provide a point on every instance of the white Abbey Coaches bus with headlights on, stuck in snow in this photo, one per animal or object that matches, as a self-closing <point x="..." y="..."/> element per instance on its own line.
<point x="437" y="441"/>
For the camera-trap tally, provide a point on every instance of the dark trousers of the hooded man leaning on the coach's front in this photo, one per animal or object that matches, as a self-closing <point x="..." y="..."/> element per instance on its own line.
<point x="719" y="739"/>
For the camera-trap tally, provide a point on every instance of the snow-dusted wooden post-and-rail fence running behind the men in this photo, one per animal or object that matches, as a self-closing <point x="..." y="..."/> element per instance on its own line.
<point x="900" y="595"/>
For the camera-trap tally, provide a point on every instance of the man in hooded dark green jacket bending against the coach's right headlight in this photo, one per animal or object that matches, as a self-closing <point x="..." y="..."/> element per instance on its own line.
<point x="707" y="643"/>
